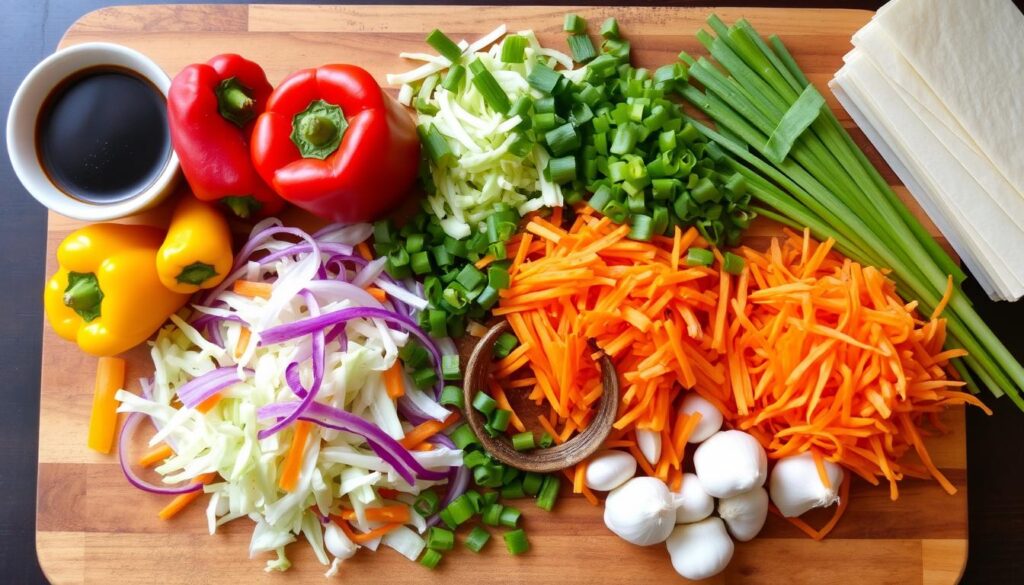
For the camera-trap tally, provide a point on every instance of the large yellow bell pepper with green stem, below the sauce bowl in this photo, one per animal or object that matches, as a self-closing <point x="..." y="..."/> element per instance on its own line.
<point x="116" y="300"/>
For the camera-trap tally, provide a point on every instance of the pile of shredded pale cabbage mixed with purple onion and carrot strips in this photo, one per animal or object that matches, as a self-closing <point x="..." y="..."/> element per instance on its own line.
<point x="285" y="399"/>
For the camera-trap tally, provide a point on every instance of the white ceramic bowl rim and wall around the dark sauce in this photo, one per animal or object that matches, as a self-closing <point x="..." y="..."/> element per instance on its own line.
<point x="25" y="112"/>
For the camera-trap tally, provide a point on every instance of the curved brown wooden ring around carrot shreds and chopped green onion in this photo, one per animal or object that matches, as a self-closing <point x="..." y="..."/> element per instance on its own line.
<point x="539" y="461"/>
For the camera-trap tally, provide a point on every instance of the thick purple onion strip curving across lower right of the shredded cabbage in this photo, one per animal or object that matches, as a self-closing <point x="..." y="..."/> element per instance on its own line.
<point x="381" y="443"/>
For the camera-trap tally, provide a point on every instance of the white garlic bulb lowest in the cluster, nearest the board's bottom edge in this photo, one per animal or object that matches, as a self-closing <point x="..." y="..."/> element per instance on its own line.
<point x="701" y="551"/>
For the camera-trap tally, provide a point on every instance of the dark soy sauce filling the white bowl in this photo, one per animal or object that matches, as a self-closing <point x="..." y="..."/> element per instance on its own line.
<point x="103" y="137"/>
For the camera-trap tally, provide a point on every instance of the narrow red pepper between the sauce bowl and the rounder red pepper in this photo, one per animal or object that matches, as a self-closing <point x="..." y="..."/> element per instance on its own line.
<point x="211" y="112"/>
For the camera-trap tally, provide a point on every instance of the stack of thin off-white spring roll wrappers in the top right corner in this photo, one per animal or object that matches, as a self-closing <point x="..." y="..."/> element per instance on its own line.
<point x="938" y="89"/>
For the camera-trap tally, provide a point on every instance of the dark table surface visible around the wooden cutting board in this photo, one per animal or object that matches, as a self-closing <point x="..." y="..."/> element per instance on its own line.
<point x="30" y="30"/>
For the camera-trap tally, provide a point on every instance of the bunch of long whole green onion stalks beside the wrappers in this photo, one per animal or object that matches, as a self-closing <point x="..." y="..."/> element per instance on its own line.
<point x="824" y="182"/>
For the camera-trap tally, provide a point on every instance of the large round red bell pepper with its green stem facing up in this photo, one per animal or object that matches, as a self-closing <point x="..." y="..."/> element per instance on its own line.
<point x="334" y="144"/>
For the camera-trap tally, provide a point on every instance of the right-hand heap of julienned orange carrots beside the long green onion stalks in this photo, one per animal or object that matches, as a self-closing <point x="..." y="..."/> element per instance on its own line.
<point x="830" y="360"/>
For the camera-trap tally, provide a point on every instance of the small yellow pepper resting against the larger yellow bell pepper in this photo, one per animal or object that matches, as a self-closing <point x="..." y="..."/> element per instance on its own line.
<point x="197" y="253"/>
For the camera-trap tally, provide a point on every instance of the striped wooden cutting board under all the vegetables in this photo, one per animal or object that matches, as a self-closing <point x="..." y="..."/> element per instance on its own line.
<point x="94" y="527"/>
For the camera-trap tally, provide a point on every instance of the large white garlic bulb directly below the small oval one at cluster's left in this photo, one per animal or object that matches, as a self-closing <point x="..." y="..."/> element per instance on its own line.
<point x="642" y="512"/>
